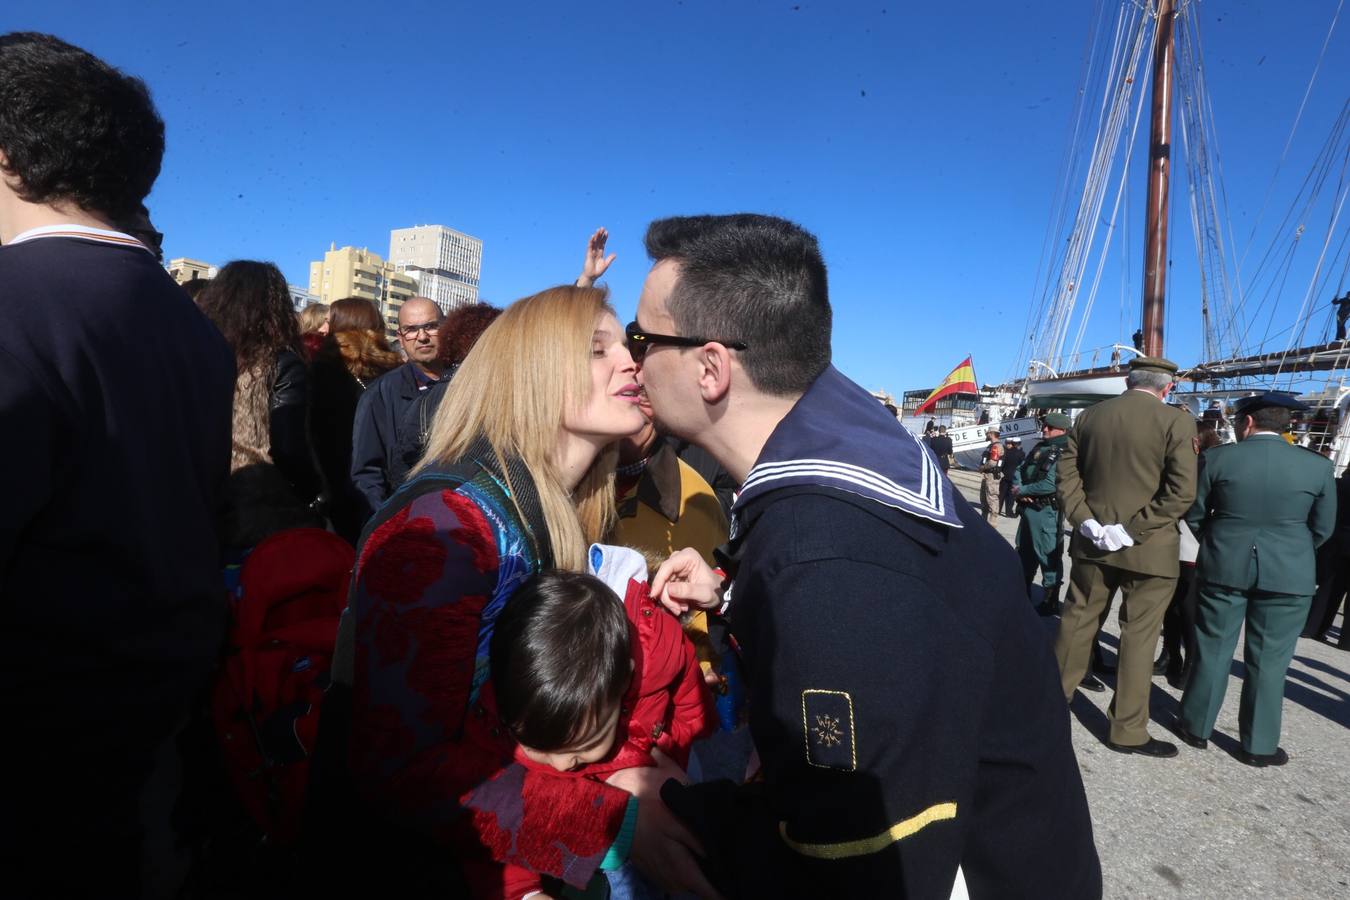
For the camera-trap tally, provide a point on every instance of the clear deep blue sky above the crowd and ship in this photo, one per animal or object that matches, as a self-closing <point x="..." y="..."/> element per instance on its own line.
<point x="920" y="142"/>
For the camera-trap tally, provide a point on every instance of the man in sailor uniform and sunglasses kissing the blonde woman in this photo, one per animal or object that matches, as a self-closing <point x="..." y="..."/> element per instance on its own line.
<point x="904" y="704"/>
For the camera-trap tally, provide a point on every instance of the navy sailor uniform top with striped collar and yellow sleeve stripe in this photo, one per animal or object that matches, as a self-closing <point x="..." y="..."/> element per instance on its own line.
<point x="907" y="705"/>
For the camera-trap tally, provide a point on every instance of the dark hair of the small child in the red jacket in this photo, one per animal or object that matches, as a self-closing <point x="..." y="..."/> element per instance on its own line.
<point x="561" y="658"/>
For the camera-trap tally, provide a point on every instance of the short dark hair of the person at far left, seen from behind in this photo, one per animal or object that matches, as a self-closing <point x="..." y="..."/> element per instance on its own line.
<point x="75" y="129"/>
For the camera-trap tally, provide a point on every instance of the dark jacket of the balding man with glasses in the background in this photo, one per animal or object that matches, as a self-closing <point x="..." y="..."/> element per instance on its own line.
<point x="379" y="432"/>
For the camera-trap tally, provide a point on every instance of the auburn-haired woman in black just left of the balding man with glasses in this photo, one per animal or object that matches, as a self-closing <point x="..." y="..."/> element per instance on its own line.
<point x="354" y="354"/>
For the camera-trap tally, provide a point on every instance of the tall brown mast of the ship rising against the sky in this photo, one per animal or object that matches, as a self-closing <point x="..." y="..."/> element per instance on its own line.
<point x="1160" y="169"/>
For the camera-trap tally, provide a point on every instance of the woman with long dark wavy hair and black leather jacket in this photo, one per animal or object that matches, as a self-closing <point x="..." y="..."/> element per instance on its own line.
<point x="250" y="304"/>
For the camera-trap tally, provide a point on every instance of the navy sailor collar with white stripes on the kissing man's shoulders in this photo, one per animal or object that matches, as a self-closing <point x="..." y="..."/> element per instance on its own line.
<point x="840" y="437"/>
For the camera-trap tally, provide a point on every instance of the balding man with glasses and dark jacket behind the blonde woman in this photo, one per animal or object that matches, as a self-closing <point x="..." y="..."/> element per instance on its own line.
<point x="381" y="411"/>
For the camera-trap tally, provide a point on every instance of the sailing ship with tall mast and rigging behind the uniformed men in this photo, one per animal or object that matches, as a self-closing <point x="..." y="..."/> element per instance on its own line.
<point x="1159" y="44"/>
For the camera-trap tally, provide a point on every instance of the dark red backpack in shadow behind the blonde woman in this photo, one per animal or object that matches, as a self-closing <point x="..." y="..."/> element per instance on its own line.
<point x="265" y="705"/>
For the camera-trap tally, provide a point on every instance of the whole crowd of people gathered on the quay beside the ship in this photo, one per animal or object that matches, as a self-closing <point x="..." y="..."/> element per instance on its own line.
<point x="294" y="608"/>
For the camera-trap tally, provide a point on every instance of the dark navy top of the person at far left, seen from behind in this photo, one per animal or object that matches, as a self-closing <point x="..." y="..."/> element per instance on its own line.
<point x="115" y="403"/>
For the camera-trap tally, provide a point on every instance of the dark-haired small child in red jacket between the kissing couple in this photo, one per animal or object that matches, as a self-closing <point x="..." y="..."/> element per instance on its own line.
<point x="589" y="683"/>
